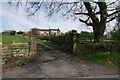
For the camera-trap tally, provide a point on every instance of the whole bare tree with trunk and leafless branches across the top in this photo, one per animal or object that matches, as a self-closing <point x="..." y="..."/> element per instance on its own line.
<point x="94" y="14"/>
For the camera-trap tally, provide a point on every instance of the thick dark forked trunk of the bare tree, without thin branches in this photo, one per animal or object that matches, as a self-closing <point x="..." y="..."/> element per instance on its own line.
<point x="98" y="25"/>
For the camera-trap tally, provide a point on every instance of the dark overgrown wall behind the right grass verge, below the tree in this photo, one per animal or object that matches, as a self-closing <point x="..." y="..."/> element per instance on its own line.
<point x="93" y="48"/>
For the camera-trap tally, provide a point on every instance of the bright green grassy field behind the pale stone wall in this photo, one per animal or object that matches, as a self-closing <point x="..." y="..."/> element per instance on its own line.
<point x="7" y="39"/>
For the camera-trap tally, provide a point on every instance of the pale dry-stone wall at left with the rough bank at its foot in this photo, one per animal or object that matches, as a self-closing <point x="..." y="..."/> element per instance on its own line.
<point x="14" y="54"/>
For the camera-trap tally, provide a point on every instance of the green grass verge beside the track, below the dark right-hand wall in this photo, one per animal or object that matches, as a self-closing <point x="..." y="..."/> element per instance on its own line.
<point x="104" y="58"/>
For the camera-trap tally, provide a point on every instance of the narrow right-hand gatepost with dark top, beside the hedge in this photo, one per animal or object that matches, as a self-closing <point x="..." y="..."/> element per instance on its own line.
<point x="74" y="40"/>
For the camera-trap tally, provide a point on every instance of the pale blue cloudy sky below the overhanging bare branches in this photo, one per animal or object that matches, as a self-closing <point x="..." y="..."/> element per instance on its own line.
<point x="13" y="19"/>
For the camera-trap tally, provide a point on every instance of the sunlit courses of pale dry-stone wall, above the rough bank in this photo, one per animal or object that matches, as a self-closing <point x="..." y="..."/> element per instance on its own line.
<point x="15" y="49"/>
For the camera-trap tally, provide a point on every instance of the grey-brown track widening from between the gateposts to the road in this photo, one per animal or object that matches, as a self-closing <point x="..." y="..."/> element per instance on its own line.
<point x="52" y="63"/>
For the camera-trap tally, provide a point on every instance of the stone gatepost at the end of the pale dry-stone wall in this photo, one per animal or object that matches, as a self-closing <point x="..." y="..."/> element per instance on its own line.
<point x="32" y="46"/>
